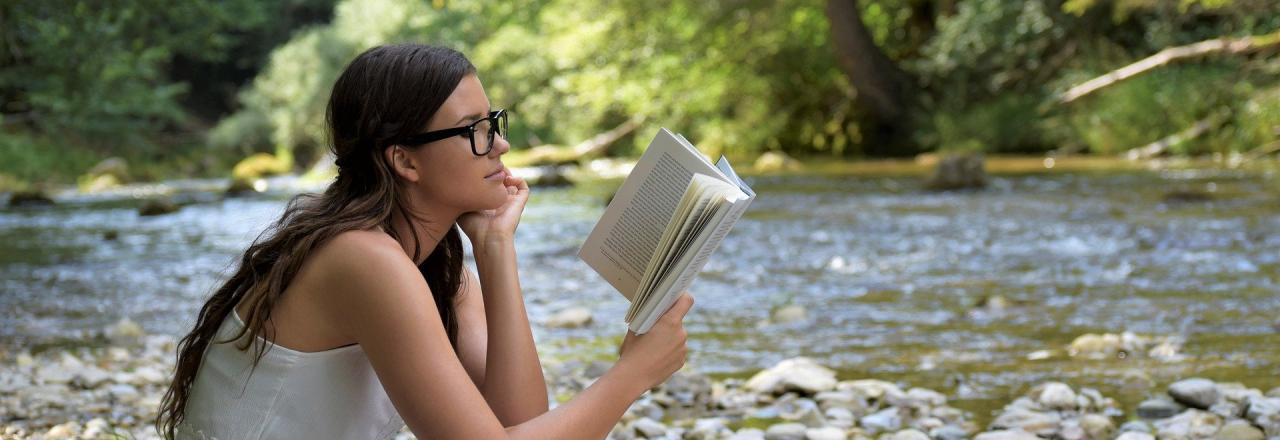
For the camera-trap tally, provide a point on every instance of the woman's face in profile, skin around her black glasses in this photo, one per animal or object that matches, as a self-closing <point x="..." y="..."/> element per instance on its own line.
<point x="449" y="175"/>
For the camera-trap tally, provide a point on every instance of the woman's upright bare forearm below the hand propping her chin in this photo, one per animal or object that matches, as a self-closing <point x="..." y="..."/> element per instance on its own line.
<point x="514" y="383"/>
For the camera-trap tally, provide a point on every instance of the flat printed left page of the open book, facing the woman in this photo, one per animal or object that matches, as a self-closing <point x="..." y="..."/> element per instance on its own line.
<point x="628" y="235"/>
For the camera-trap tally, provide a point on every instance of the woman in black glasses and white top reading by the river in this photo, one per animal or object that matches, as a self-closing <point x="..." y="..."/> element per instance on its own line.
<point x="360" y="311"/>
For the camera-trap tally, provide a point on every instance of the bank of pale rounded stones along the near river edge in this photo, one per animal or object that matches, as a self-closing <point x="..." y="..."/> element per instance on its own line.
<point x="113" y="392"/>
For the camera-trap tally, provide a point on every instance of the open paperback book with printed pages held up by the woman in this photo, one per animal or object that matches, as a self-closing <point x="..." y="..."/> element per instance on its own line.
<point x="664" y="224"/>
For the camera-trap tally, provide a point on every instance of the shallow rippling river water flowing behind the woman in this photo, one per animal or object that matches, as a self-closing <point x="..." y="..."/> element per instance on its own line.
<point x="949" y="291"/>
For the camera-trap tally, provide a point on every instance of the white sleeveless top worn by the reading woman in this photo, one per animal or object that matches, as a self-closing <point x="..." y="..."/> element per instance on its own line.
<point x="331" y="395"/>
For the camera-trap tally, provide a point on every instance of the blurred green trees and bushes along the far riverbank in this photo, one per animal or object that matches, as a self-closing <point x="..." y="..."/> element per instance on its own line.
<point x="194" y="88"/>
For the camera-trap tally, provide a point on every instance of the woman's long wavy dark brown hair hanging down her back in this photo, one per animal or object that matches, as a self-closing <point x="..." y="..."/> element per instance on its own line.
<point x="386" y="94"/>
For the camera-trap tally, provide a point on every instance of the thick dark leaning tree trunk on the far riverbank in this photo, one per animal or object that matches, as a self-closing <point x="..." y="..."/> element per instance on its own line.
<point x="883" y="89"/>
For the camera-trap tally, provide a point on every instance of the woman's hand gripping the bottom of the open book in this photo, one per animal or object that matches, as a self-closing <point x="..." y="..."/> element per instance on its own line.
<point x="659" y="354"/>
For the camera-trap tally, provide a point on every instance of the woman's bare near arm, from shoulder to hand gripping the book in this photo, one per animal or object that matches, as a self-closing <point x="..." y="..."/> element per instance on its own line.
<point x="380" y="299"/>
